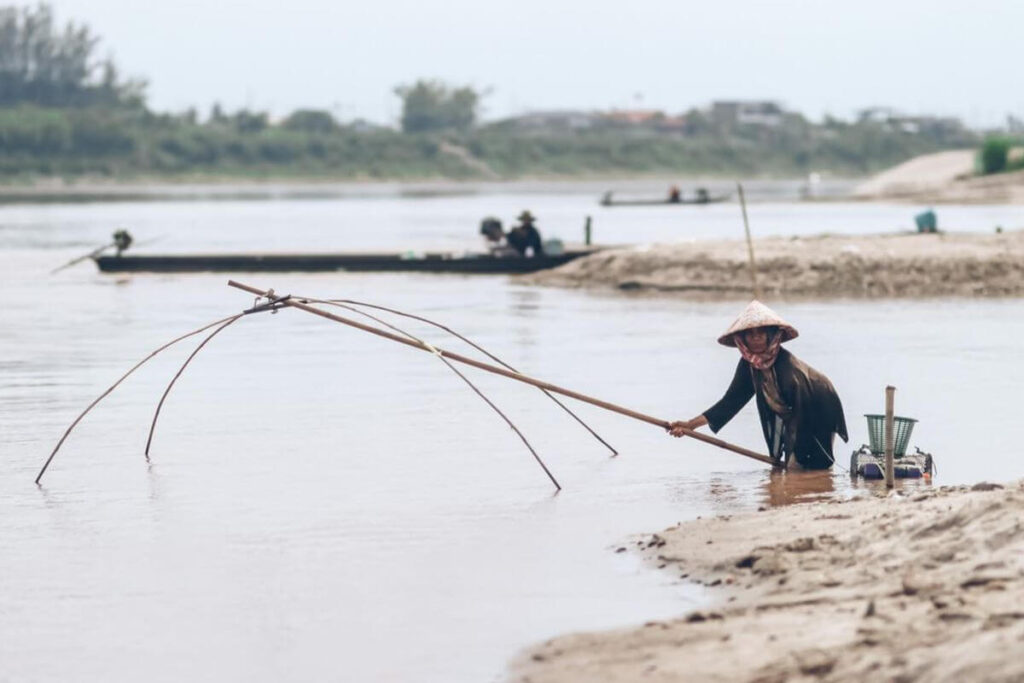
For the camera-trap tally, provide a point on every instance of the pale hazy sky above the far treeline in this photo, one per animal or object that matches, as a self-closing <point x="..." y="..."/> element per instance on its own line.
<point x="940" y="57"/>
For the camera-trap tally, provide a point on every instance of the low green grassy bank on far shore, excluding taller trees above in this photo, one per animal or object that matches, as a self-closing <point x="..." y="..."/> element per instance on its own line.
<point x="132" y="144"/>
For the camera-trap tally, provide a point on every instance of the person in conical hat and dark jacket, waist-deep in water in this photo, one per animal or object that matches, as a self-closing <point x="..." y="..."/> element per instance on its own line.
<point x="799" y="408"/>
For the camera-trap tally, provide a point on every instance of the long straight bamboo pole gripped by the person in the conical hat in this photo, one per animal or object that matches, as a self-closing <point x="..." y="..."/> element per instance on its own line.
<point x="509" y="374"/>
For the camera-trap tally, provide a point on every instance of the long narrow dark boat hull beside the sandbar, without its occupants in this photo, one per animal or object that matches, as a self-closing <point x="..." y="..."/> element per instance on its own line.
<point x="382" y="263"/>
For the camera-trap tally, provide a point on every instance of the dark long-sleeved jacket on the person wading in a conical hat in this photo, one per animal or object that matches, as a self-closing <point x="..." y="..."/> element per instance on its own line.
<point x="815" y="414"/>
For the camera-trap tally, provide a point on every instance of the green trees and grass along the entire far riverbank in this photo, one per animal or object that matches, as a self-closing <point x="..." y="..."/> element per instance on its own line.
<point x="64" y="113"/>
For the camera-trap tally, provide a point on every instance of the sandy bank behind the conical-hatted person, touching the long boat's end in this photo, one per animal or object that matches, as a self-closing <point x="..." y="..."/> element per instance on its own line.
<point x="883" y="266"/>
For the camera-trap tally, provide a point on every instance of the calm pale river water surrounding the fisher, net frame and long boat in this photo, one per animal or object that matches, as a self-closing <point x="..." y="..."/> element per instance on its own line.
<point x="322" y="504"/>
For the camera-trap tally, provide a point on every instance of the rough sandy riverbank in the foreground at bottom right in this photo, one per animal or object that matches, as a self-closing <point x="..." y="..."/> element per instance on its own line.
<point x="928" y="586"/>
